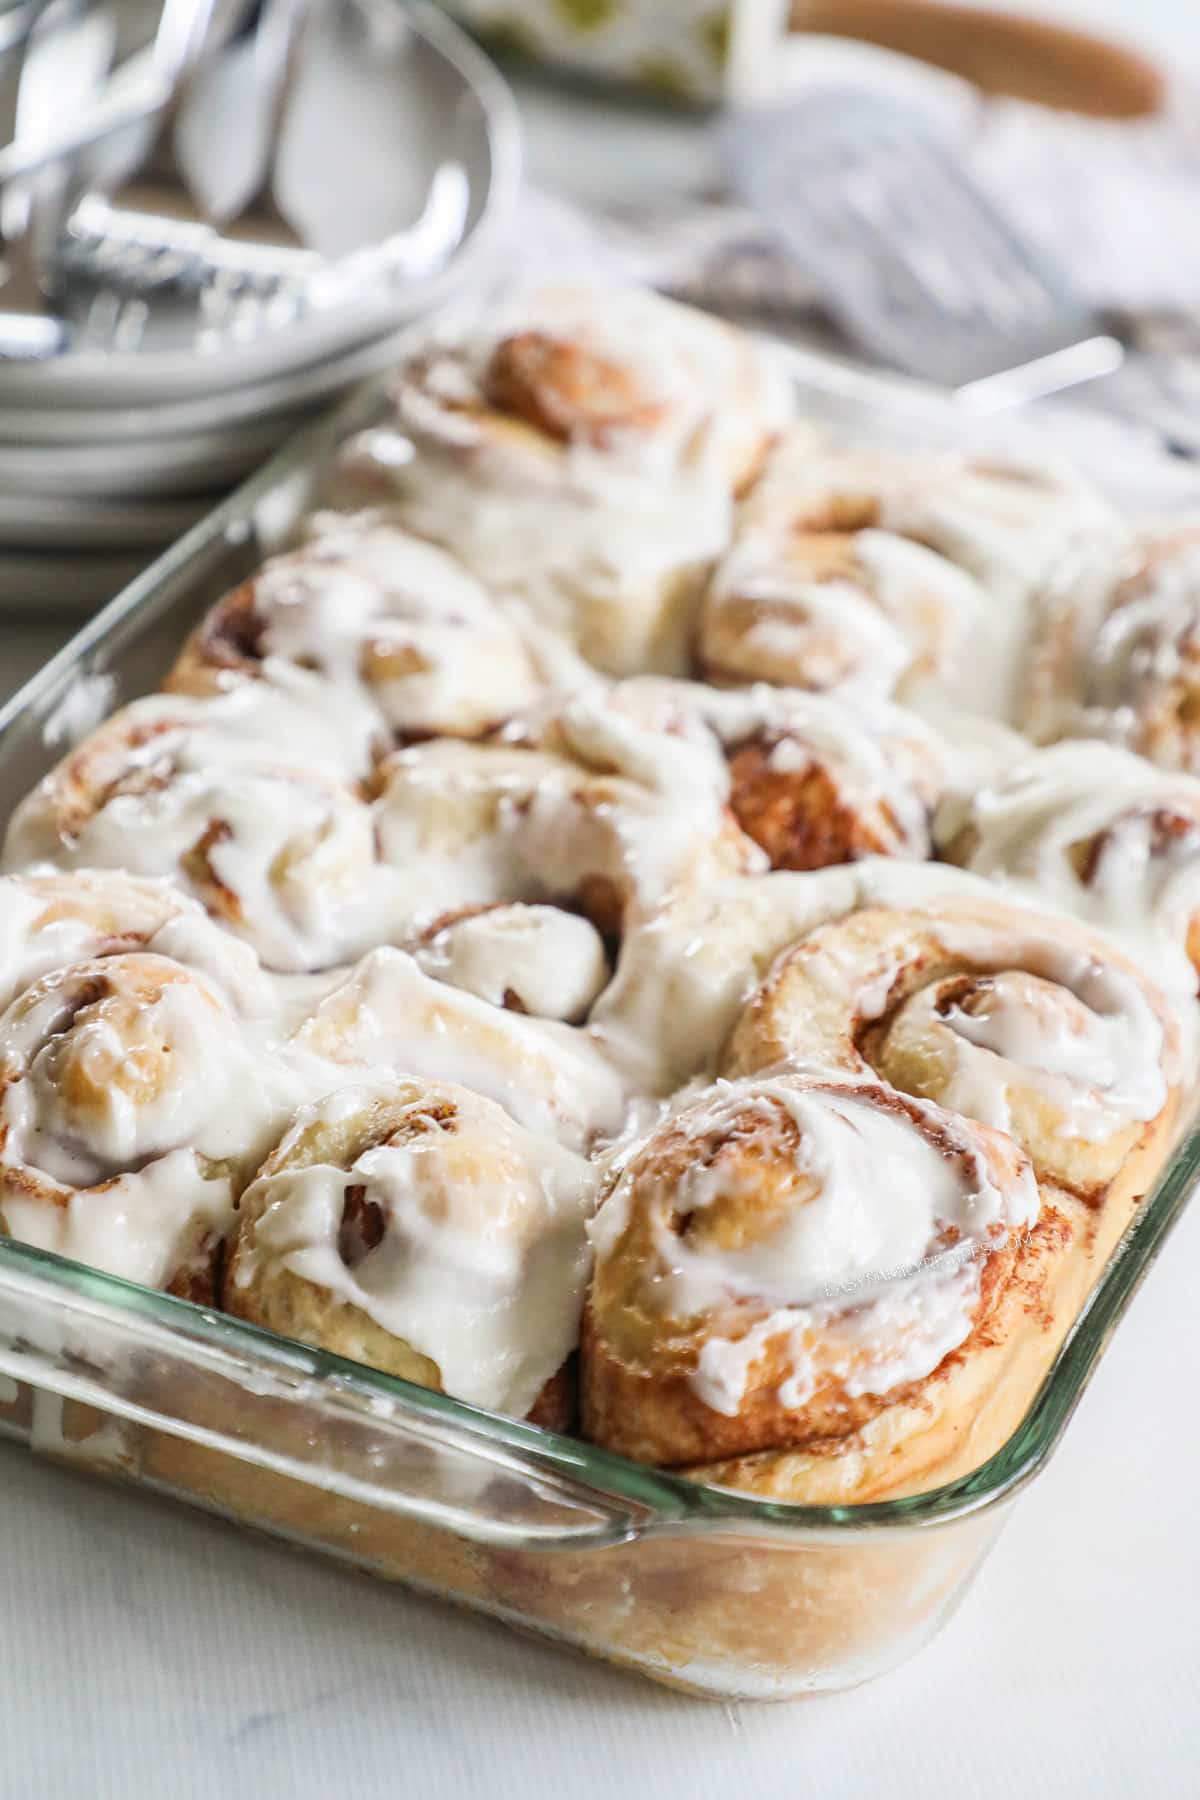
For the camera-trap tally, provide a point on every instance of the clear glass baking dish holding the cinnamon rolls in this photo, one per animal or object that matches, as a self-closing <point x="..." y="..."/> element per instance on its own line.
<point x="703" y="1588"/>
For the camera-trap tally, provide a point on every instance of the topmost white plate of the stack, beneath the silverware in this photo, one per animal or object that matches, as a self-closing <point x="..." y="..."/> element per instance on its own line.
<point x="402" y="107"/>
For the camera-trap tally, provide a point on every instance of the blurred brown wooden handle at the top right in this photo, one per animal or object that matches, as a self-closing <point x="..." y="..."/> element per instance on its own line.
<point x="1001" y="53"/>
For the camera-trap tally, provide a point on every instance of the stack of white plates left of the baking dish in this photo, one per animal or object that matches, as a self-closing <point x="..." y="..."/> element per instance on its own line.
<point x="163" y="399"/>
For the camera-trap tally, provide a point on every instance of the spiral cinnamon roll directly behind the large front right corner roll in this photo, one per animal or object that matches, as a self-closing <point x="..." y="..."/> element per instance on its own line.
<point x="1012" y="1018"/>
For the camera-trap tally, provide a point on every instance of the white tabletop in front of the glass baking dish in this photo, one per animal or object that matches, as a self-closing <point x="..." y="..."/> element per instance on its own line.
<point x="152" y="1651"/>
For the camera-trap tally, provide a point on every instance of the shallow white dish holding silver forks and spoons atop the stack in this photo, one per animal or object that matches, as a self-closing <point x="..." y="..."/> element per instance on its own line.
<point x="400" y="125"/>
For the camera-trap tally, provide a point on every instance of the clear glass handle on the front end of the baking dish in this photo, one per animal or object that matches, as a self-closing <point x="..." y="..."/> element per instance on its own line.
<point x="228" y="1389"/>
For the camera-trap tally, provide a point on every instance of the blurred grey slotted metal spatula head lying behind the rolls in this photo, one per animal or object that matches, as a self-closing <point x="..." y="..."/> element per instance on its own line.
<point x="911" y="256"/>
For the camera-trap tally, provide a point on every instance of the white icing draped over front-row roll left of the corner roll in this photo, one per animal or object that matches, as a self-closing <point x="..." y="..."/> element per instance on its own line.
<point x="483" y="1259"/>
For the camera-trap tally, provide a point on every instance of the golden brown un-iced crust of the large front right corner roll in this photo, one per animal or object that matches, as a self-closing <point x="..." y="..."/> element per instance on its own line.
<point x="724" y="1176"/>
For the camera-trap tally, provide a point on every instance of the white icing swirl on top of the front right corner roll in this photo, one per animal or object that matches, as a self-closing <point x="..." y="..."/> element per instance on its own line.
<point x="872" y="1281"/>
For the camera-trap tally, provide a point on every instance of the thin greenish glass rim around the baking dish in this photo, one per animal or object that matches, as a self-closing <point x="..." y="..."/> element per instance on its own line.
<point x="663" y="1498"/>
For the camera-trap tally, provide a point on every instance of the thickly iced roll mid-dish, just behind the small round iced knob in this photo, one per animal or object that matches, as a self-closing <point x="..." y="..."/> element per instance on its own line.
<point x="607" y="816"/>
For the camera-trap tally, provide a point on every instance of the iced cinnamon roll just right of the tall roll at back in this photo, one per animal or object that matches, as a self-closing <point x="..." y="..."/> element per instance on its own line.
<point x="886" y="573"/>
